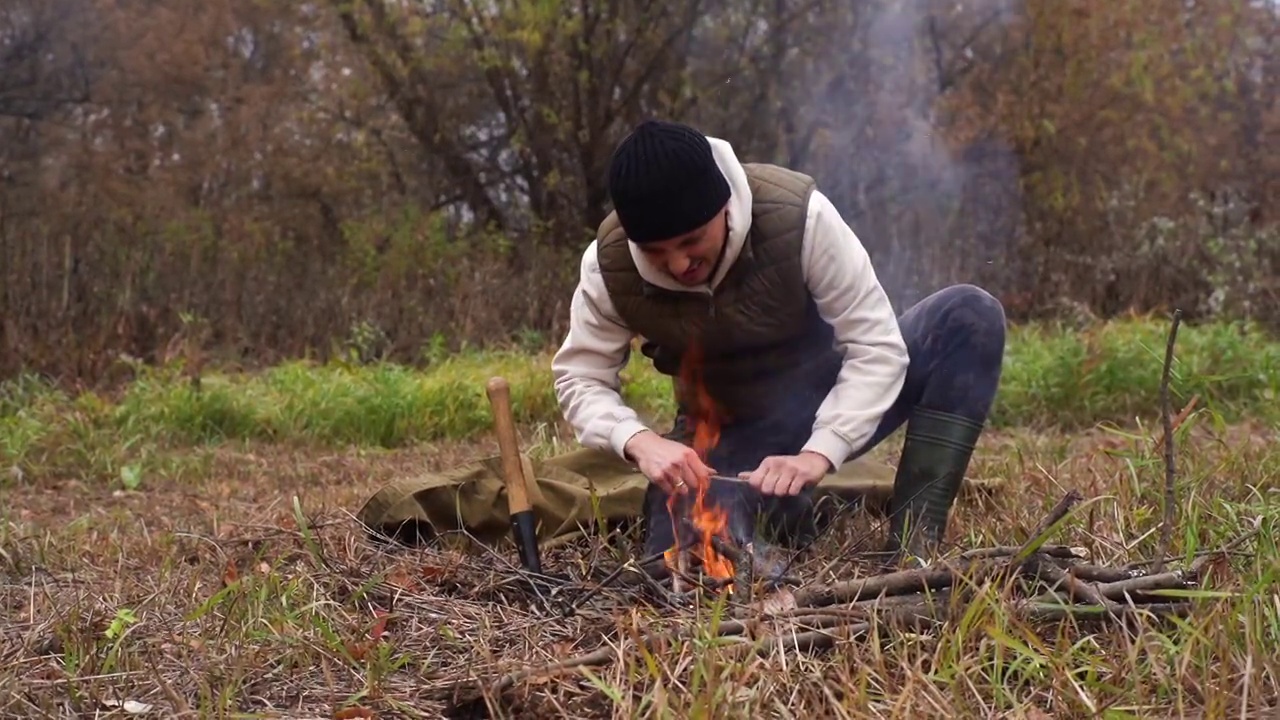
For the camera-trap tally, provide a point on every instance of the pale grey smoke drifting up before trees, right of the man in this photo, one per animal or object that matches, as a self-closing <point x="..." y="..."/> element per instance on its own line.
<point x="931" y="212"/>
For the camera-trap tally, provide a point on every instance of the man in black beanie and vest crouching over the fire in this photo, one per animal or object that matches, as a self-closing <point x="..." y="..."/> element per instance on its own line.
<point x="803" y="354"/>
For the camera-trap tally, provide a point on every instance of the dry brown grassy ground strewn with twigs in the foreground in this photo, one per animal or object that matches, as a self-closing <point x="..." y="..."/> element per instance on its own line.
<point x="199" y="596"/>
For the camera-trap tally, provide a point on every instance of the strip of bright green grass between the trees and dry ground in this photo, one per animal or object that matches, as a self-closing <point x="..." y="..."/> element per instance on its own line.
<point x="1054" y="377"/>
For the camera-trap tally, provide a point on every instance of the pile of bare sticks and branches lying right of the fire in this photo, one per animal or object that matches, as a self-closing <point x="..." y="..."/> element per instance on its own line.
<point x="1036" y="584"/>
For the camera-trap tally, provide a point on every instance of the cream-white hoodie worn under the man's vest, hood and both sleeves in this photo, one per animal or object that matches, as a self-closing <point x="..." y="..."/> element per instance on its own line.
<point x="844" y="285"/>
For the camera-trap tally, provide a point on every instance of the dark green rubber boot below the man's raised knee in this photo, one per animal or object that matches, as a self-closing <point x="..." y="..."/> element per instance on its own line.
<point x="935" y="459"/>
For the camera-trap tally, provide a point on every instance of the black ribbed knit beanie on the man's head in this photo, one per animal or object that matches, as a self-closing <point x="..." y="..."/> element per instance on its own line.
<point x="664" y="181"/>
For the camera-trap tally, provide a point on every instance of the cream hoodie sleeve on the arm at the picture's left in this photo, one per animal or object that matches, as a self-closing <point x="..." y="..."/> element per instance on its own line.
<point x="588" y="364"/>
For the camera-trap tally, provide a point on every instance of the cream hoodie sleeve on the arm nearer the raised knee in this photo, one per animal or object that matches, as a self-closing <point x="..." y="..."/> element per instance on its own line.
<point x="844" y="285"/>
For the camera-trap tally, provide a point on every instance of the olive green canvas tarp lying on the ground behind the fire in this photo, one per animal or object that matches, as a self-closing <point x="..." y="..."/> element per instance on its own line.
<point x="570" y="494"/>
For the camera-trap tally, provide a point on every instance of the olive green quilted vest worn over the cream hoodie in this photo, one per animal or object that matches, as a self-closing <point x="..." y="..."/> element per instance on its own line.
<point x="761" y="334"/>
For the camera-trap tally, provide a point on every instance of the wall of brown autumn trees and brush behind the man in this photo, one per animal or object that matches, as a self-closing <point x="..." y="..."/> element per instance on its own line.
<point x="382" y="179"/>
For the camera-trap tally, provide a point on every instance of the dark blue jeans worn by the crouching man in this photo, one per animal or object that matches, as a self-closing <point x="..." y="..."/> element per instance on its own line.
<point x="956" y="340"/>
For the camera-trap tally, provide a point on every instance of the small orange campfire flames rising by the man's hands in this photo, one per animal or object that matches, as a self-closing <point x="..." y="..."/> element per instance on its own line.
<point x="707" y="520"/>
